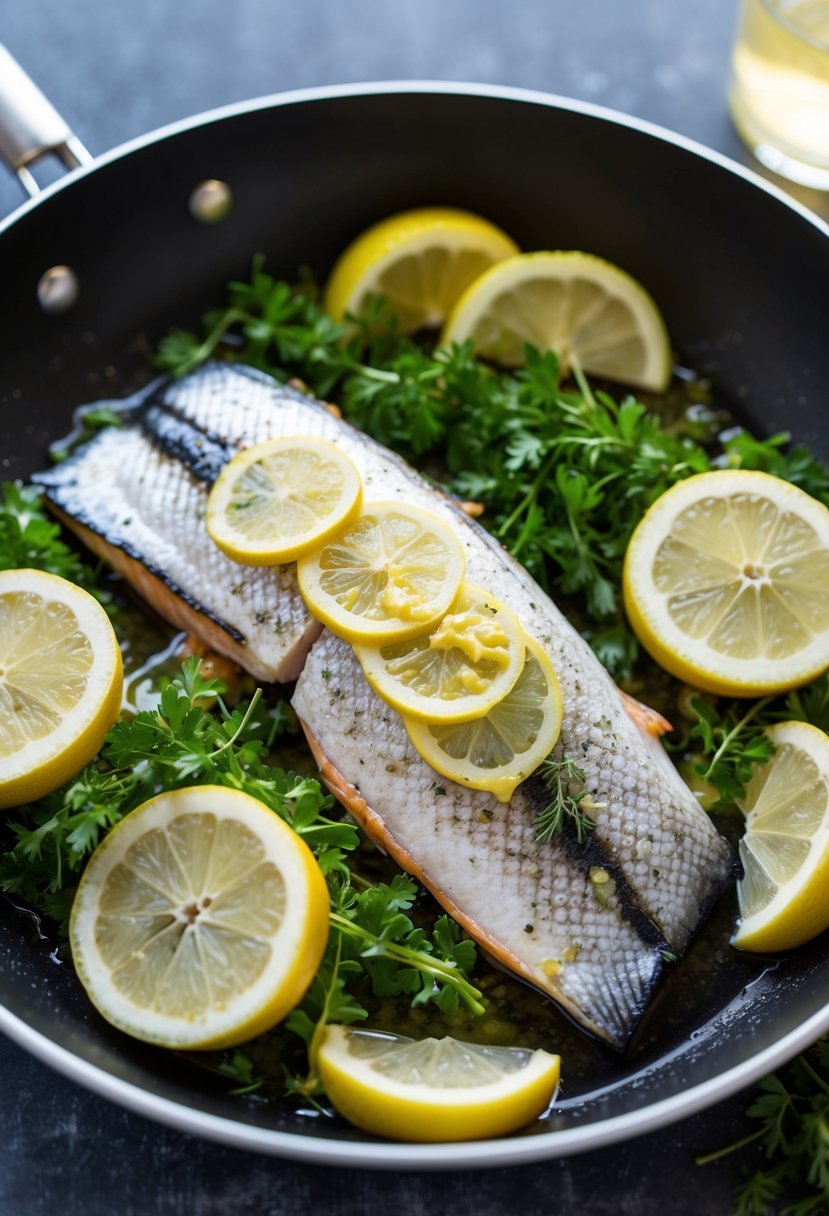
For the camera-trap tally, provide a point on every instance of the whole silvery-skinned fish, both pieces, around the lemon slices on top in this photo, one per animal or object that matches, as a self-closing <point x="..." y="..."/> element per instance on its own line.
<point x="585" y="924"/>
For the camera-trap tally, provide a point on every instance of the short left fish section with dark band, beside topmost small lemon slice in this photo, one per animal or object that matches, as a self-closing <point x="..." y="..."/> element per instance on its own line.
<point x="137" y="497"/>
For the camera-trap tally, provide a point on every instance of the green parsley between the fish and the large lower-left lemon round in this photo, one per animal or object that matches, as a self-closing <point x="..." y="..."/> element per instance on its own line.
<point x="194" y="739"/>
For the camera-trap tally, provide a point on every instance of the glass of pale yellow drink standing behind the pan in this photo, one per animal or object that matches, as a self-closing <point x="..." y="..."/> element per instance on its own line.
<point x="780" y="92"/>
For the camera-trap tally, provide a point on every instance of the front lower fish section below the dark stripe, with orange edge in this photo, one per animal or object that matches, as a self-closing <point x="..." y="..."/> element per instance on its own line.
<point x="532" y="907"/>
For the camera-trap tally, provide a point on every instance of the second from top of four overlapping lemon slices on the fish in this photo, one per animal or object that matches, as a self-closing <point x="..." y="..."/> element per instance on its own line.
<point x="391" y="576"/>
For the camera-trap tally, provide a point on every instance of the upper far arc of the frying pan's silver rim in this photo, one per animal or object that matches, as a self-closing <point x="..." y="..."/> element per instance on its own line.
<point x="391" y="88"/>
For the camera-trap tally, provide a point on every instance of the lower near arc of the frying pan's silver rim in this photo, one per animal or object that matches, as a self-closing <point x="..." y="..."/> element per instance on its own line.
<point x="362" y="1155"/>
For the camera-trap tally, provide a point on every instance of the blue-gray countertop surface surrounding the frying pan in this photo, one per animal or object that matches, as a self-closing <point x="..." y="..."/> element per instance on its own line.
<point x="120" y="70"/>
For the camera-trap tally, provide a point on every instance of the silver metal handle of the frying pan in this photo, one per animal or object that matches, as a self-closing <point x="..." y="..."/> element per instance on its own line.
<point x="31" y="127"/>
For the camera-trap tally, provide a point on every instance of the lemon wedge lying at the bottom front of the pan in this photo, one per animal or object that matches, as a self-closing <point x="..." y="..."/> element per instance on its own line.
<point x="437" y="1089"/>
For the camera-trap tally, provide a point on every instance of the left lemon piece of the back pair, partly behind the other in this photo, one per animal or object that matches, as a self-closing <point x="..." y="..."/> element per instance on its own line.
<point x="419" y="261"/>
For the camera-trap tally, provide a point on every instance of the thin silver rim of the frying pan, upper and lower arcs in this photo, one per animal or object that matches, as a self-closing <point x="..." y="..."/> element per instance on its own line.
<point x="377" y="1155"/>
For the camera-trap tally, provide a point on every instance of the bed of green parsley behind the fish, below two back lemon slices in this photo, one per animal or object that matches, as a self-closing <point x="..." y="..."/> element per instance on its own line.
<point x="565" y="471"/>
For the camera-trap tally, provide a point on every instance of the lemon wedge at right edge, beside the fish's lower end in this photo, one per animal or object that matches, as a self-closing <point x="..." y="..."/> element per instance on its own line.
<point x="786" y="849"/>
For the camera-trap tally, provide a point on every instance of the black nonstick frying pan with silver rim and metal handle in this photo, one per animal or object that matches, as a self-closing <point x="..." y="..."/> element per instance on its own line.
<point x="741" y="274"/>
